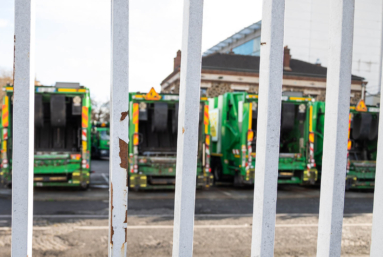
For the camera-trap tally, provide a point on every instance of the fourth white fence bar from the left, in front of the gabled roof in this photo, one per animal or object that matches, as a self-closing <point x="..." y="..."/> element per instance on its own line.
<point x="269" y="115"/>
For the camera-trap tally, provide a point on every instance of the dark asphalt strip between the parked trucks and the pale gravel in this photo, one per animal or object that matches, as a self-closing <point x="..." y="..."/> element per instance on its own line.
<point x="140" y="205"/>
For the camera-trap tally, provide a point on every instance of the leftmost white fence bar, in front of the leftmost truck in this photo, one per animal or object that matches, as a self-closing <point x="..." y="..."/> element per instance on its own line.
<point x="23" y="129"/>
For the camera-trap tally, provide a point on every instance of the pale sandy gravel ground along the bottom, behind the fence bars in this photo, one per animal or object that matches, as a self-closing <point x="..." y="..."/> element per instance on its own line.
<point x="215" y="235"/>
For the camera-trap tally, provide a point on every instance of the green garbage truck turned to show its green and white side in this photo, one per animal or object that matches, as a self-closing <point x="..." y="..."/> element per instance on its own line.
<point x="233" y="126"/>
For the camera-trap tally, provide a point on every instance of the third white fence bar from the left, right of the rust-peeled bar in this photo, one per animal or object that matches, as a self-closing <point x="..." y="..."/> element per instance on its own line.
<point x="188" y="129"/>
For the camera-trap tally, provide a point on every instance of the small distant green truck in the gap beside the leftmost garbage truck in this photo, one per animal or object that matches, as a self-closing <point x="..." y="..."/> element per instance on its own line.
<point x="100" y="140"/>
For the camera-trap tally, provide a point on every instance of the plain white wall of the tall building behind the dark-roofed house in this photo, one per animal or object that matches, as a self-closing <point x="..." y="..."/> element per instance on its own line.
<point x="306" y="34"/>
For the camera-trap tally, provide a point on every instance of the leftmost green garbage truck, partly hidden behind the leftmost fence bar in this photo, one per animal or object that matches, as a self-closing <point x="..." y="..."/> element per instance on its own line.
<point x="62" y="136"/>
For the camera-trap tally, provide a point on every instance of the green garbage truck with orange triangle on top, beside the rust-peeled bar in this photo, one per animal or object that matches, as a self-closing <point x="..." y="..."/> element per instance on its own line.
<point x="153" y="128"/>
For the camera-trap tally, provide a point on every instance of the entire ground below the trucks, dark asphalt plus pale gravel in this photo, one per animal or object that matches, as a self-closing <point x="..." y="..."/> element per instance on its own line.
<point x="70" y="222"/>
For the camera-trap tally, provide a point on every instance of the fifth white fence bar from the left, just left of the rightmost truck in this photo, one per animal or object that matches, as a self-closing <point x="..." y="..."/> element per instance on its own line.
<point x="336" y="128"/>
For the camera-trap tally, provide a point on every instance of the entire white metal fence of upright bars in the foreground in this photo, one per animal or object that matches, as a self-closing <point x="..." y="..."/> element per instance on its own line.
<point x="266" y="174"/>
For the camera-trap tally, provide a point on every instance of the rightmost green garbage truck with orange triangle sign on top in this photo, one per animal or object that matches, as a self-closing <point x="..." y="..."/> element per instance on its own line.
<point x="362" y="143"/>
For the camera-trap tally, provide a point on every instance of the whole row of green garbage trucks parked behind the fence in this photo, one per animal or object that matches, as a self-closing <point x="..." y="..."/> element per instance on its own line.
<point x="65" y="139"/>
